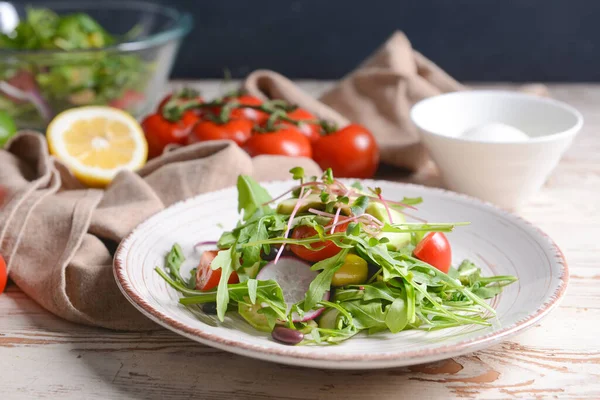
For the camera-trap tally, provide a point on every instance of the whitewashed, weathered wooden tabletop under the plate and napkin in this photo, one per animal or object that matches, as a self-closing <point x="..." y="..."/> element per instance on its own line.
<point x="42" y="356"/>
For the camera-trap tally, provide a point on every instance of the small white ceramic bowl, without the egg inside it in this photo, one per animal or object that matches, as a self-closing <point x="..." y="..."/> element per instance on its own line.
<point x="506" y="173"/>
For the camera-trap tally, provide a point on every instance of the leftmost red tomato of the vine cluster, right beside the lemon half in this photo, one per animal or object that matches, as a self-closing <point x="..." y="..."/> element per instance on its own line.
<point x="161" y="132"/>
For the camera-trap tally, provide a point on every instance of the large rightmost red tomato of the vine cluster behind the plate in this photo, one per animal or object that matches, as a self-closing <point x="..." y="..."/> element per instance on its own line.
<point x="351" y="152"/>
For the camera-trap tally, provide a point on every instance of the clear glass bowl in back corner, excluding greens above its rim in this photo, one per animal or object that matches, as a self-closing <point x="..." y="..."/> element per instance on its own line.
<point x="35" y="85"/>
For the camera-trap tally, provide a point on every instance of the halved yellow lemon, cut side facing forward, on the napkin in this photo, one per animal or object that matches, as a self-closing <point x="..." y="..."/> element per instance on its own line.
<point x="97" y="142"/>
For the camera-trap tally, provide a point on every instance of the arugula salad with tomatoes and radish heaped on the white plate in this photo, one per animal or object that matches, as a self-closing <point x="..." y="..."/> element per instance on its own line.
<point x="325" y="261"/>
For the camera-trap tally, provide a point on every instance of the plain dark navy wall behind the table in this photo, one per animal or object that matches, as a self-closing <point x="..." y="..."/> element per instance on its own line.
<point x="474" y="40"/>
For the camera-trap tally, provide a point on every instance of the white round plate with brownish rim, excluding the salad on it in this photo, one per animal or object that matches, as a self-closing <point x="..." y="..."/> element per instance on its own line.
<point x="499" y="242"/>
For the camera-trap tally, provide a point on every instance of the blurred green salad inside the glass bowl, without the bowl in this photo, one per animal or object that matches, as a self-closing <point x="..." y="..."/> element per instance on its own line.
<point x="34" y="86"/>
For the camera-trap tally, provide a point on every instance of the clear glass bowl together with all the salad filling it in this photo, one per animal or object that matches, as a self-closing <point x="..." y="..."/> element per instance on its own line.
<point x="70" y="54"/>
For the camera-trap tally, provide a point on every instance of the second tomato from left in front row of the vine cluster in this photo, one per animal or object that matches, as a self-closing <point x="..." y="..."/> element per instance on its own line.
<point x="238" y="130"/>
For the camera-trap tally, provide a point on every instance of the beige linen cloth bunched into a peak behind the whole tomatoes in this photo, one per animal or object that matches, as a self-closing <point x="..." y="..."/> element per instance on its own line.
<point x="378" y="94"/>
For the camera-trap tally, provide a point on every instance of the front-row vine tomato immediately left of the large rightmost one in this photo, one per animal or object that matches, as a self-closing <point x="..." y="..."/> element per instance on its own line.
<point x="286" y="142"/>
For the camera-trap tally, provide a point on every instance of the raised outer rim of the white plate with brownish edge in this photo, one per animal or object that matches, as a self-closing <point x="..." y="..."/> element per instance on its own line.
<point x="289" y="356"/>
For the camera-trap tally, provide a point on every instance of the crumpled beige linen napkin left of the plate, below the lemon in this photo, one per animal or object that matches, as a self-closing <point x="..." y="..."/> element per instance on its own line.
<point x="58" y="237"/>
